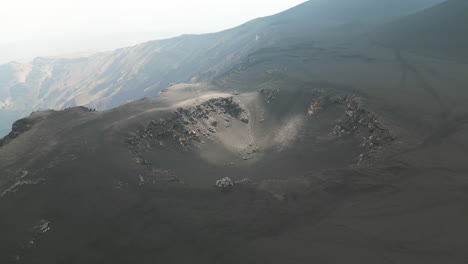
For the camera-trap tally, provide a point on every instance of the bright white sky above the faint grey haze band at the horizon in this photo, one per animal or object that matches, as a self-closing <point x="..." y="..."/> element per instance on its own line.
<point x="23" y="19"/>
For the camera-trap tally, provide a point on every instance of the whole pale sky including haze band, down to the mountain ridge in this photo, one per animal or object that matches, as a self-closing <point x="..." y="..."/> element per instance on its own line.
<point x="54" y="28"/>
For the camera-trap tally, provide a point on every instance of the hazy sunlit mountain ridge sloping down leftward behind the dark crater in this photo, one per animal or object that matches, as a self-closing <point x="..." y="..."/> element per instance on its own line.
<point x="110" y="79"/>
